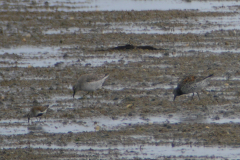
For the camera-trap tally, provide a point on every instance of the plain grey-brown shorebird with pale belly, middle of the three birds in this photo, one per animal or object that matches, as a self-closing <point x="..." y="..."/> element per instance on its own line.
<point x="89" y="83"/>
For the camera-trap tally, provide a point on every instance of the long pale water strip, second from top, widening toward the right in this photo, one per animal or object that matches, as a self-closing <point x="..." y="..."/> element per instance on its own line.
<point x="201" y="26"/>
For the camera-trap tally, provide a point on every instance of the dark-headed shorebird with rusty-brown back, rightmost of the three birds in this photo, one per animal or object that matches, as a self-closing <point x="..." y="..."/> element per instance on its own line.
<point x="191" y="84"/>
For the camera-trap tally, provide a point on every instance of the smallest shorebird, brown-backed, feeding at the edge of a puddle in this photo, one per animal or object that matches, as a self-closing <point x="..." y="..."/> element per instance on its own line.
<point x="36" y="112"/>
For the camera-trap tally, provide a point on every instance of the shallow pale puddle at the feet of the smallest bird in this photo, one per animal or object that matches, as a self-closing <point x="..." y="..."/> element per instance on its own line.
<point x="82" y="125"/>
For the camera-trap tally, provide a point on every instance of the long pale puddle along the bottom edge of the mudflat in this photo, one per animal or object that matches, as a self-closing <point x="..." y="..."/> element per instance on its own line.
<point x="141" y="151"/>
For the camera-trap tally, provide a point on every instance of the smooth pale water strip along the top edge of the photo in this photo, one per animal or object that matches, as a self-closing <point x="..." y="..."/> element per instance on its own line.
<point x="120" y="5"/>
